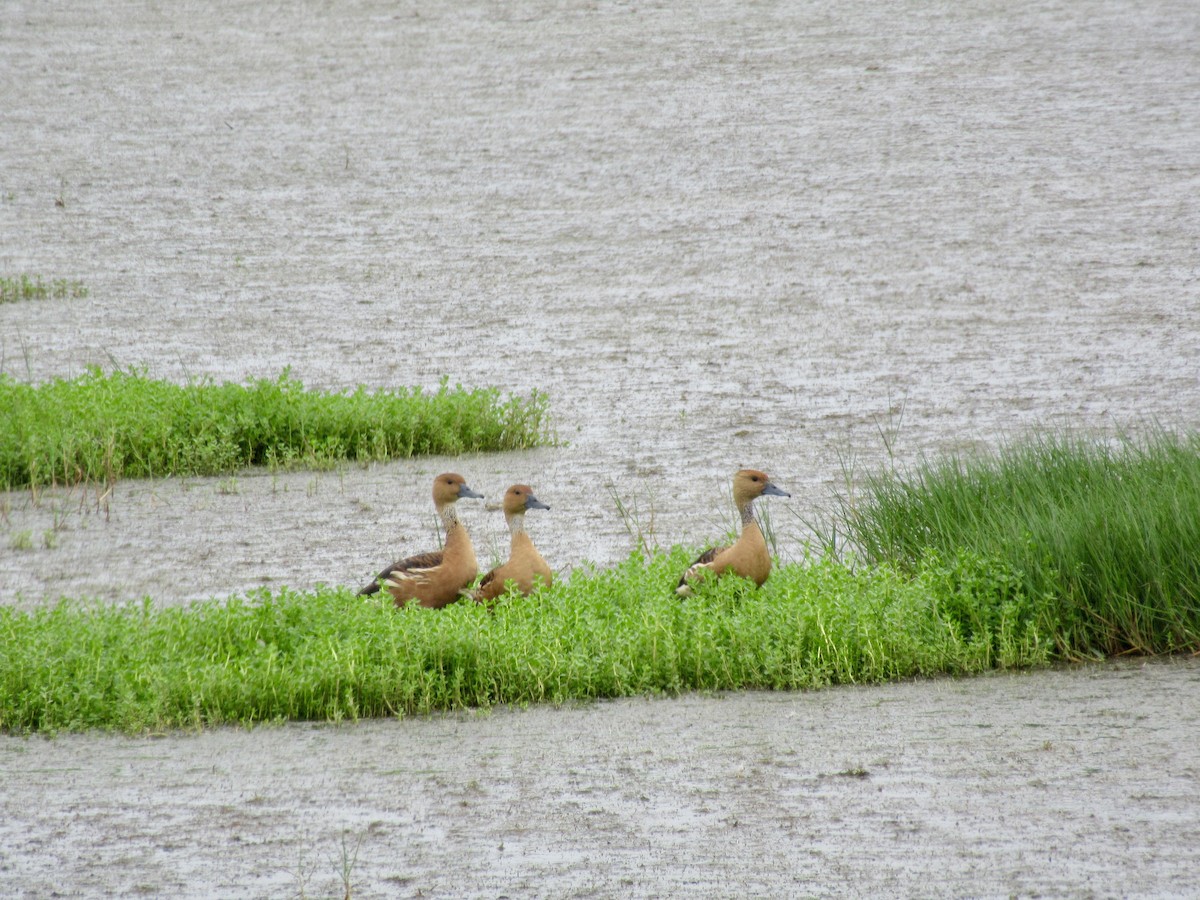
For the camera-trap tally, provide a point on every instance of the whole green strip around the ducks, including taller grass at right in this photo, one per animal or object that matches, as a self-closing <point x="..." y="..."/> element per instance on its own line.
<point x="1057" y="549"/>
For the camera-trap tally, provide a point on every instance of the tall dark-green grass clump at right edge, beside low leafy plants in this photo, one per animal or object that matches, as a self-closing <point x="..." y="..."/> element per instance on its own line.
<point x="1108" y="533"/>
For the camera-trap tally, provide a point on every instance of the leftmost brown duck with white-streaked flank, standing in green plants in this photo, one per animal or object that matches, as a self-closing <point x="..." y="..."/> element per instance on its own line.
<point x="435" y="579"/>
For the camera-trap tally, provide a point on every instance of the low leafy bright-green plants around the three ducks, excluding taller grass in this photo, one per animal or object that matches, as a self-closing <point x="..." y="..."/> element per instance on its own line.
<point x="622" y="632"/>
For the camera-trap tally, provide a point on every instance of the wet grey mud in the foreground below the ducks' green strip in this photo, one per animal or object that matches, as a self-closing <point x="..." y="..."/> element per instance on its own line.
<point x="1058" y="784"/>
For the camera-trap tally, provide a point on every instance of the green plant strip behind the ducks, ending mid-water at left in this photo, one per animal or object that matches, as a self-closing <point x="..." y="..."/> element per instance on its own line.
<point x="99" y="428"/>
